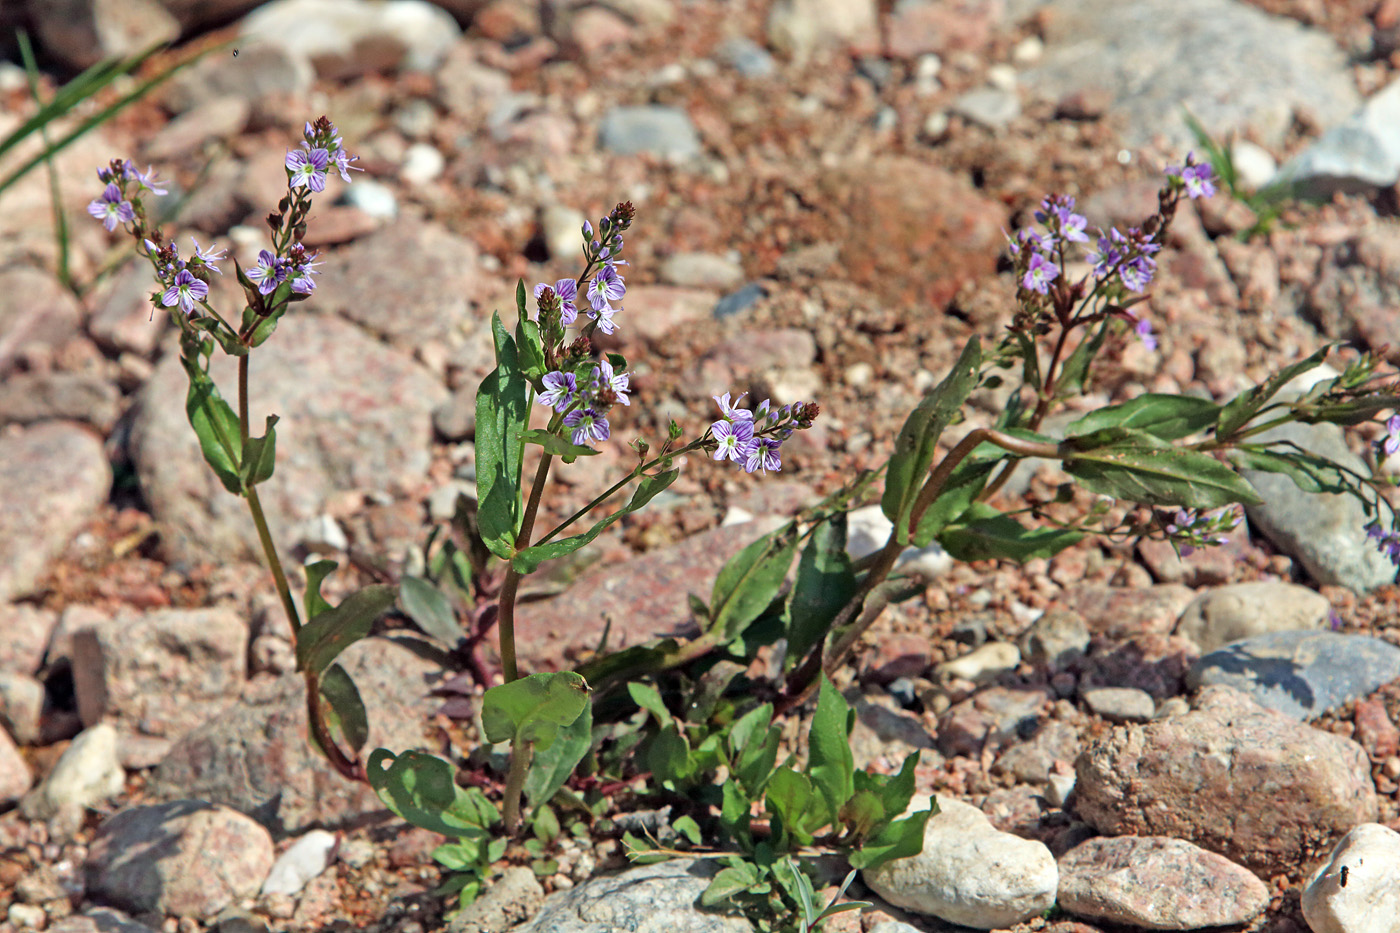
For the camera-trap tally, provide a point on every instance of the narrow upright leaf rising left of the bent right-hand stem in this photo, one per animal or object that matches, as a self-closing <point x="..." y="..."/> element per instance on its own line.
<point x="915" y="446"/>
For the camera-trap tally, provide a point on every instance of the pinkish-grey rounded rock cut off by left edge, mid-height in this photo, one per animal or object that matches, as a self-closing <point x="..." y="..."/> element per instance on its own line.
<point x="55" y="477"/>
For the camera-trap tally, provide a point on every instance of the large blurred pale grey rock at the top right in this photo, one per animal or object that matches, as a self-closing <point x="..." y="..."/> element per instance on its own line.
<point x="1233" y="67"/>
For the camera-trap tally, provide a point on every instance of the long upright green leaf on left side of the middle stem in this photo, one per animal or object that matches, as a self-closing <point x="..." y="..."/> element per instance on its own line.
<point x="502" y="417"/>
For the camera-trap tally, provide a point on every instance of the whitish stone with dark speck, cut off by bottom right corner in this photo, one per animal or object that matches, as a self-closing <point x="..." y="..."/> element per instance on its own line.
<point x="1357" y="890"/>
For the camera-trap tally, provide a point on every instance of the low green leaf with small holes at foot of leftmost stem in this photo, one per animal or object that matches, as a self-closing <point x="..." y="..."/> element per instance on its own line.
<point x="421" y="789"/>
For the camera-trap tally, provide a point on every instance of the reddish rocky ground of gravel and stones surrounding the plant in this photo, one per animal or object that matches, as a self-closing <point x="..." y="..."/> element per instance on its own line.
<point x="822" y="188"/>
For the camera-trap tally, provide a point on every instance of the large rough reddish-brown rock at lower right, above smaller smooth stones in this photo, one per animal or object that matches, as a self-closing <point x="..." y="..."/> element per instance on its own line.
<point x="1230" y="777"/>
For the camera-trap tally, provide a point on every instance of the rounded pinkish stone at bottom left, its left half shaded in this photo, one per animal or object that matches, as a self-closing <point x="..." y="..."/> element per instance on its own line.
<point x="160" y="859"/>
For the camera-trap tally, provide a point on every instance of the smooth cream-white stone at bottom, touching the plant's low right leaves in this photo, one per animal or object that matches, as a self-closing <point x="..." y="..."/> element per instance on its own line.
<point x="969" y="872"/>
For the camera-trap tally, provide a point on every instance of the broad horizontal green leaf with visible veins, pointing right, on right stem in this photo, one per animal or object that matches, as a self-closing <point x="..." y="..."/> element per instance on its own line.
<point x="1137" y="467"/>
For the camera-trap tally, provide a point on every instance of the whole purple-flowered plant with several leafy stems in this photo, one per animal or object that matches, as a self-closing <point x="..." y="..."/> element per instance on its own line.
<point x="675" y="714"/>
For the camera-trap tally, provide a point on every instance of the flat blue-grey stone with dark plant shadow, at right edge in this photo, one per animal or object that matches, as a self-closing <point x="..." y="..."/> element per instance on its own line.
<point x="1303" y="675"/>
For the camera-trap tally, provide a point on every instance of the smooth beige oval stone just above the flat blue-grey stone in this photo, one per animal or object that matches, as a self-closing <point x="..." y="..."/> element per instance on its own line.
<point x="1244" y="610"/>
